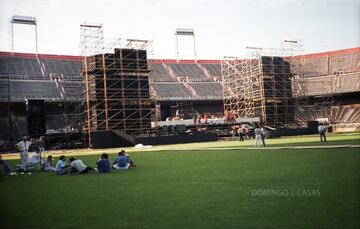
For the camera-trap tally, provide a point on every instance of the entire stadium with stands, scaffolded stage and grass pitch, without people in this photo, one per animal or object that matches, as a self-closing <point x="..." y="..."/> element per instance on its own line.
<point x="180" y="119"/>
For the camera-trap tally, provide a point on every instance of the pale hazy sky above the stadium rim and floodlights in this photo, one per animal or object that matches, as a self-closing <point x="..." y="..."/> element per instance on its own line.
<point x="222" y="27"/>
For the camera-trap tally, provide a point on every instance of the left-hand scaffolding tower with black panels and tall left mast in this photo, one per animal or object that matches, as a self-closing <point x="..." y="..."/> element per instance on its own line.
<point x="116" y="79"/>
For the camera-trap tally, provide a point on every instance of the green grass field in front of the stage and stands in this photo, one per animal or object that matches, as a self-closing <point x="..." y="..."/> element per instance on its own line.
<point x="237" y="188"/>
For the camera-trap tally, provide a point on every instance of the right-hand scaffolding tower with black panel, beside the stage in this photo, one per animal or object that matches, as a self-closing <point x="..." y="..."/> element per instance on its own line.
<point x="259" y="86"/>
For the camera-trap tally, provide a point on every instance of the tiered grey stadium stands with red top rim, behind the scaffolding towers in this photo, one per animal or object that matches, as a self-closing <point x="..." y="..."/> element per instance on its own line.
<point x="328" y="89"/>
